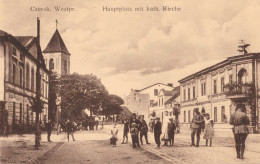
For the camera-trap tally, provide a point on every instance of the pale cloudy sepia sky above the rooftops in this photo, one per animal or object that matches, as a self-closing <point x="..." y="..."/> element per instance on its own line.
<point x="137" y="49"/>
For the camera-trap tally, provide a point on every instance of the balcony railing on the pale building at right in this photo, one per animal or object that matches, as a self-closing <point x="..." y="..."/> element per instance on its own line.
<point x="239" y="89"/>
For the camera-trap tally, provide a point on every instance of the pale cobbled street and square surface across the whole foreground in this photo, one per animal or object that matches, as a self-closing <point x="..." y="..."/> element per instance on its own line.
<point x="93" y="147"/>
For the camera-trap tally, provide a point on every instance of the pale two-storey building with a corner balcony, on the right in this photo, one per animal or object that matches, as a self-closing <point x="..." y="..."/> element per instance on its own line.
<point x="218" y="88"/>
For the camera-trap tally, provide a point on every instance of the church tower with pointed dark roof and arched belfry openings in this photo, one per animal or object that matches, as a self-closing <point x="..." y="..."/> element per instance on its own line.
<point x="56" y="55"/>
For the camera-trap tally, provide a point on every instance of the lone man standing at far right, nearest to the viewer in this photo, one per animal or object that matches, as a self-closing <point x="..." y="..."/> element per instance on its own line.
<point x="240" y="121"/>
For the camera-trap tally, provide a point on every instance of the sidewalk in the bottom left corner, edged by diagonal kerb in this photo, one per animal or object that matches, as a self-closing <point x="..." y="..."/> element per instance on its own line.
<point x="20" y="149"/>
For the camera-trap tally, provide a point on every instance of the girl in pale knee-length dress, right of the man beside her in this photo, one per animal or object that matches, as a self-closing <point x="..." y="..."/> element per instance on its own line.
<point x="209" y="131"/>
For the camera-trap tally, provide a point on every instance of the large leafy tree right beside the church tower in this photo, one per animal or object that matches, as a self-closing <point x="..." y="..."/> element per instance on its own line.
<point x="79" y="92"/>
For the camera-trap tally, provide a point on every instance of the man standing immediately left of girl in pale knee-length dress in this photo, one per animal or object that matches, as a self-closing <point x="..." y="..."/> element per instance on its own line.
<point x="196" y="125"/>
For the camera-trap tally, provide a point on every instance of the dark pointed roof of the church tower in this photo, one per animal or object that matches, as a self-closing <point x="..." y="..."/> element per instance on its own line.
<point x="56" y="44"/>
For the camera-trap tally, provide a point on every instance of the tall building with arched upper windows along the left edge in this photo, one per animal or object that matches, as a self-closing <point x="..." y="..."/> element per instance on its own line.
<point x="21" y="62"/>
